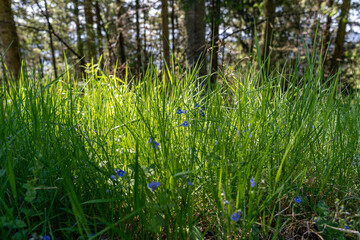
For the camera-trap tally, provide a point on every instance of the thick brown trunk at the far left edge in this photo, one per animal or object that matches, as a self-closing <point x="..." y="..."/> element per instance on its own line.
<point x="8" y="35"/>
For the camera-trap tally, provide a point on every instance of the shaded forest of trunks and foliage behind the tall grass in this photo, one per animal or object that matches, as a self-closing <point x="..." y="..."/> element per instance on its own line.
<point x="139" y="32"/>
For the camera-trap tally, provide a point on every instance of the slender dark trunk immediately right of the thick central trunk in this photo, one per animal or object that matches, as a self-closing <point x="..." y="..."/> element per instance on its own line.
<point x="215" y="23"/>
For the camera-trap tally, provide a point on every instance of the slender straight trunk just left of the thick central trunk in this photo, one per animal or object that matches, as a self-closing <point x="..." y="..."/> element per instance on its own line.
<point x="165" y="30"/>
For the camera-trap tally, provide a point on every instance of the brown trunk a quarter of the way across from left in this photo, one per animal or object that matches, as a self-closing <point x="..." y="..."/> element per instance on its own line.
<point x="90" y="35"/>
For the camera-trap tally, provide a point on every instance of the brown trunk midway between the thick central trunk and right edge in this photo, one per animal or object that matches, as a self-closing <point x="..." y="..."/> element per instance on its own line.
<point x="267" y="28"/>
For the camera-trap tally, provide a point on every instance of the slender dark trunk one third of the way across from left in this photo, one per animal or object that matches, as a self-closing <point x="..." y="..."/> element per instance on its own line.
<point x="120" y="49"/>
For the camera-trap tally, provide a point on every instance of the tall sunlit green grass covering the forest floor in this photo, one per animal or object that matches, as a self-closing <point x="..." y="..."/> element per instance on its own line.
<point x="61" y="142"/>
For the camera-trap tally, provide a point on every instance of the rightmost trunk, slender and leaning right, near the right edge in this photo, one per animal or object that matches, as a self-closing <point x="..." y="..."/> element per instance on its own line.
<point x="340" y="37"/>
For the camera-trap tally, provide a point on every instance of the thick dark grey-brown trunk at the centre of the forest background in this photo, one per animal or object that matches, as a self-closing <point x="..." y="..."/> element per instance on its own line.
<point x="195" y="29"/>
